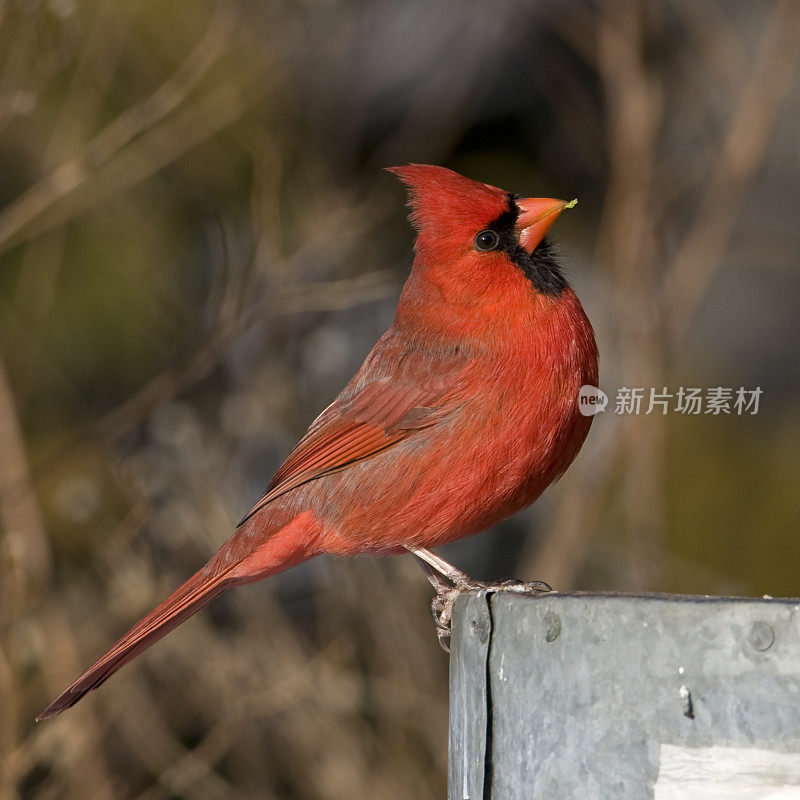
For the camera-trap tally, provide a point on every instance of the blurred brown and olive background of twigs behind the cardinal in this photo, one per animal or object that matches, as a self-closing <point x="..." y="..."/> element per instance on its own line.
<point x="198" y="246"/>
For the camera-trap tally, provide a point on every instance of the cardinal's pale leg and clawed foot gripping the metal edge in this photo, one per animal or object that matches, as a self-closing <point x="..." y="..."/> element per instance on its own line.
<point x="448" y="582"/>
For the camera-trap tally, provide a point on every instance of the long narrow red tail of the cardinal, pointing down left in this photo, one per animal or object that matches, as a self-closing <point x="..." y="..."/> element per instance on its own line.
<point x="229" y="567"/>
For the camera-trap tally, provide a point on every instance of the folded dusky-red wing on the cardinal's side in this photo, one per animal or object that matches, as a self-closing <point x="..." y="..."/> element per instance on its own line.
<point x="394" y="394"/>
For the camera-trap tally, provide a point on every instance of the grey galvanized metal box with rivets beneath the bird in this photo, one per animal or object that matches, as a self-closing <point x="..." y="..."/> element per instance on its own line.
<point x="578" y="696"/>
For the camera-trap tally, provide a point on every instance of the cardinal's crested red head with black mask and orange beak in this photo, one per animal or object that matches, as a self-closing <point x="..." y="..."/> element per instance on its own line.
<point x="477" y="245"/>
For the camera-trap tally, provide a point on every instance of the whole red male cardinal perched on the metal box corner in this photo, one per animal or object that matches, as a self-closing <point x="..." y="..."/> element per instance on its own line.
<point x="463" y="413"/>
